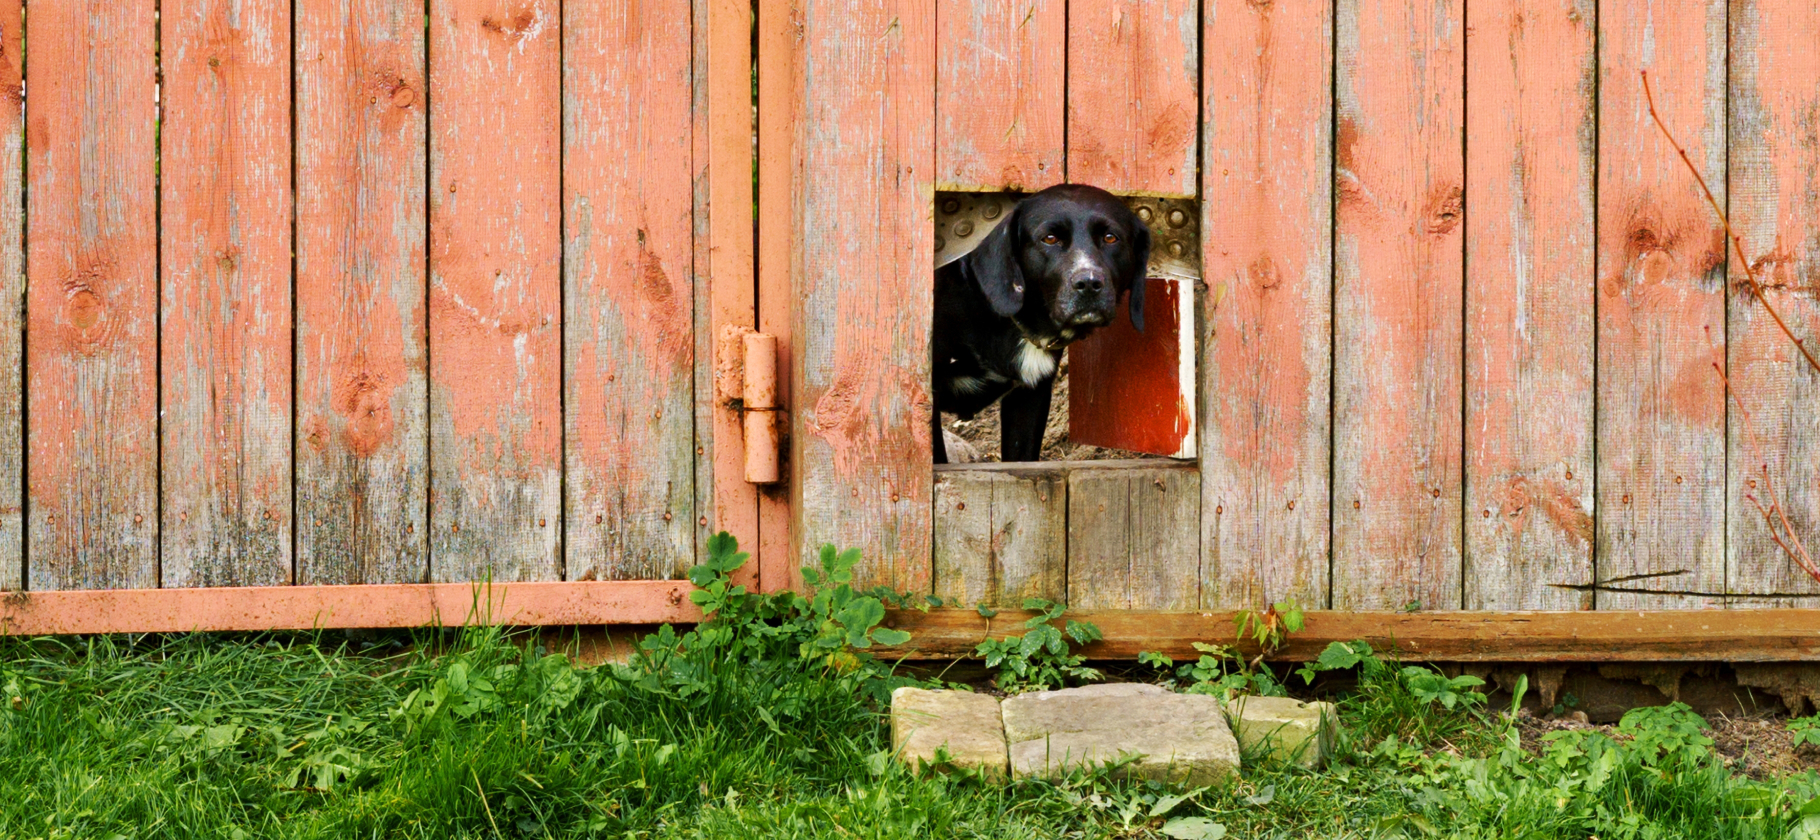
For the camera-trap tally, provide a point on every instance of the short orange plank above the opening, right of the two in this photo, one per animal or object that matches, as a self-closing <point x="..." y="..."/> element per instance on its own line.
<point x="1133" y="95"/>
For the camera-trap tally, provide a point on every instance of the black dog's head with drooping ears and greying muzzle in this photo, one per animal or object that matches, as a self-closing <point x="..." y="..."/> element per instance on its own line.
<point x="1066" y="255"/>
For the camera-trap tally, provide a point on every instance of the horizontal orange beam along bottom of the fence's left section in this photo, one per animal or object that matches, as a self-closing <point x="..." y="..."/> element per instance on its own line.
<point x="347" y="606"/>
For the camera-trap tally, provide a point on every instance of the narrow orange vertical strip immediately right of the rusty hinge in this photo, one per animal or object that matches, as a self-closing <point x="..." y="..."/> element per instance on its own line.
<point x="780" y="152"/>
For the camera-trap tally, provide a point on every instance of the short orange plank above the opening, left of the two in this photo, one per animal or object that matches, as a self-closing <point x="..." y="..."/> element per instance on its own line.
<point x="1000" y="94"/>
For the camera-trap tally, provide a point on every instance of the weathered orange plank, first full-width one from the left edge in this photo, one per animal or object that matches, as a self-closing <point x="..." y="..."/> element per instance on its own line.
<point x="92" y="345"/>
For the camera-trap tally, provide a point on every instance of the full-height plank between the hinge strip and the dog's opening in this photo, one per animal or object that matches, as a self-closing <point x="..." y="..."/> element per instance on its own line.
<point x="862" y="265"/>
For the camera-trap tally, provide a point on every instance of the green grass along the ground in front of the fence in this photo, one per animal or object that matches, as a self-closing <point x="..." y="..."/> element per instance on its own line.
<point x="301" y="737"/>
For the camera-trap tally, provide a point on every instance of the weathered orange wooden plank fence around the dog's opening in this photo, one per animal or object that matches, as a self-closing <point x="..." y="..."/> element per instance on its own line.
<point x="403" y="294"/>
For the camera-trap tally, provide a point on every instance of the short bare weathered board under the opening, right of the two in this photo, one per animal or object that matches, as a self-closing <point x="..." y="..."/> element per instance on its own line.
<point x="1135" y="537"/>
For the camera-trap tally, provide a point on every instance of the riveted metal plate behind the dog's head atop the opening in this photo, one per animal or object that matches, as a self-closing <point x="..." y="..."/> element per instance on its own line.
<point x="964" y="219"/>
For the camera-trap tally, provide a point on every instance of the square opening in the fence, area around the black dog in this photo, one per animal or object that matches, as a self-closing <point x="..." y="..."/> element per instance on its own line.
<point x="1118" y="394"/>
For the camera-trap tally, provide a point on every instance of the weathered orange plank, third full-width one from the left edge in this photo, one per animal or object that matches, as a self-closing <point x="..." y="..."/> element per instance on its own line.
<point x="363" y="403"/>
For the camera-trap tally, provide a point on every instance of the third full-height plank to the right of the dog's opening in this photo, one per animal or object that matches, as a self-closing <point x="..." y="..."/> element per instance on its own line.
<point x="1530" y="303"/>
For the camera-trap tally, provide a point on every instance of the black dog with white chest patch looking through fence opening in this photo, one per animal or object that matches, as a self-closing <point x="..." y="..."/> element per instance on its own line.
<point x="1046" y="277"/>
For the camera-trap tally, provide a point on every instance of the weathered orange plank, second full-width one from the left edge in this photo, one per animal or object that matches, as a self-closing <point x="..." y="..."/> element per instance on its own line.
<point x="227" y="321"/>
